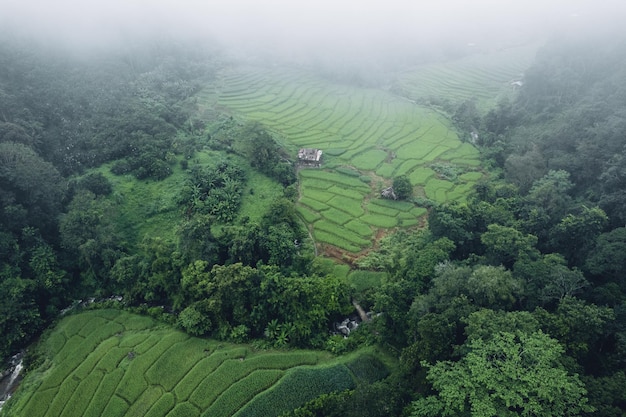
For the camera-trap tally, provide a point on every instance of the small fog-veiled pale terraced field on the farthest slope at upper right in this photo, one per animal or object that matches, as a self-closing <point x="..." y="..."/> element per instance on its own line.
<point x="483" y="77"/>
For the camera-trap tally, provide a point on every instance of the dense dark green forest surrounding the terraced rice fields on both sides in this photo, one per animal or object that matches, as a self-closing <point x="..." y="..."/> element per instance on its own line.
<point x="512" y="303"/>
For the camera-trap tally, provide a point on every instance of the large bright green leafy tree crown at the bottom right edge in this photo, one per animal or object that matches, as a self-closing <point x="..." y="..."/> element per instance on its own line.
<point x="506" y="374"/>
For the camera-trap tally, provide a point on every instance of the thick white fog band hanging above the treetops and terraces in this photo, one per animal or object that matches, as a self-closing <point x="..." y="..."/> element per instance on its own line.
<point x="324" y="29"/>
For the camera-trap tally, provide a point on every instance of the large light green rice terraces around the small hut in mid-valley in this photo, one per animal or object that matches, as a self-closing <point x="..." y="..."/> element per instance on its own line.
<point x="368" y="137"/>
